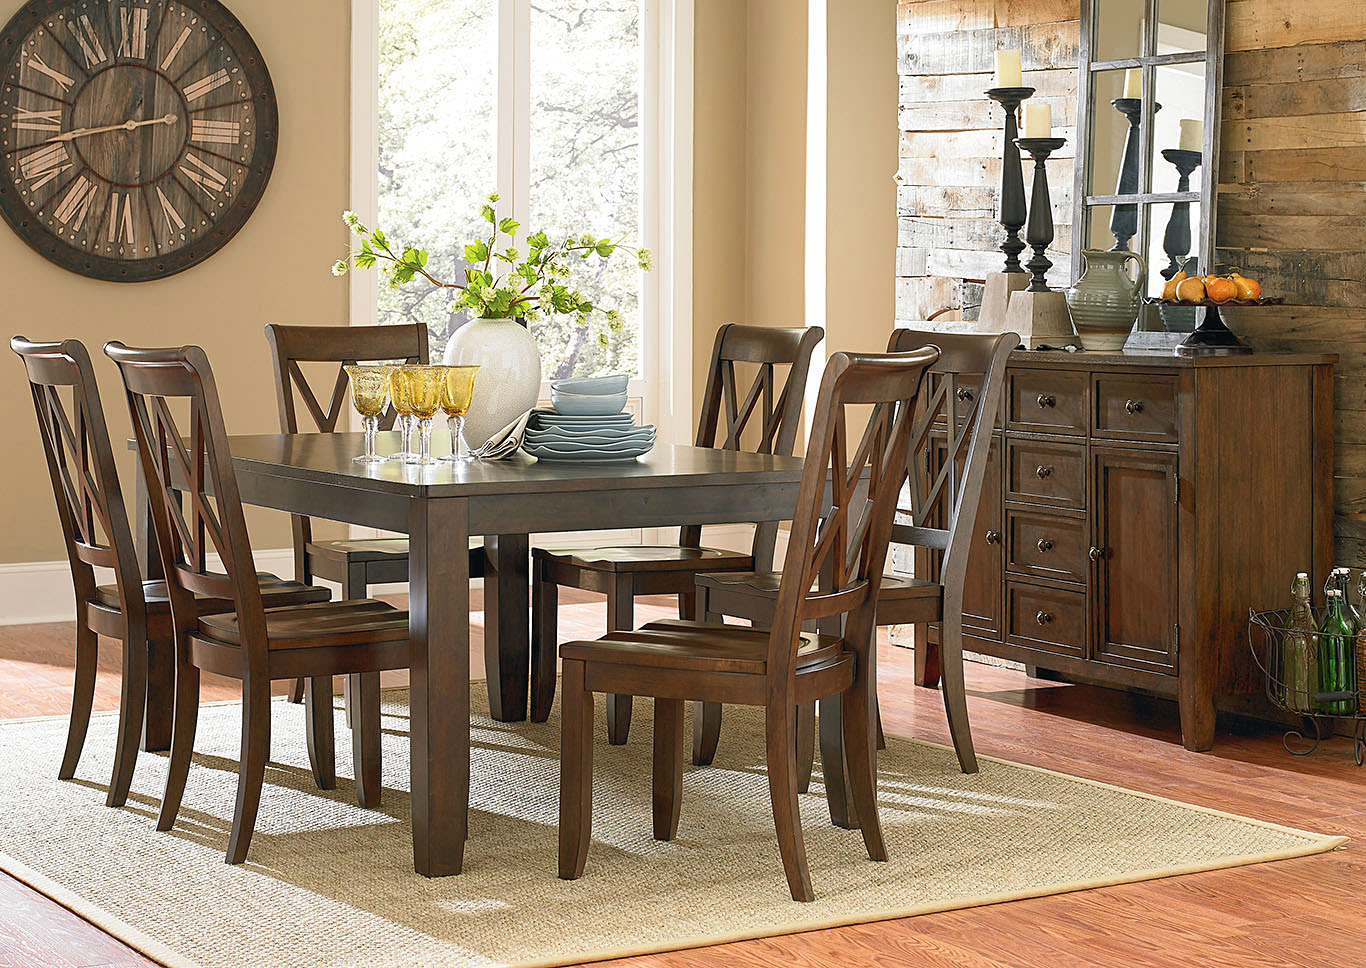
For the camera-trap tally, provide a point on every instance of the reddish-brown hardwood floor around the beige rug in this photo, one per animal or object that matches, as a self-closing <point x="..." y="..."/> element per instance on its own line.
<point x="1292" y="914"/>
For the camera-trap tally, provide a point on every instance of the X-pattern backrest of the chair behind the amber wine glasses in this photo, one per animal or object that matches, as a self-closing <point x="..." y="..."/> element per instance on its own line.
<point x="293" y="346"/>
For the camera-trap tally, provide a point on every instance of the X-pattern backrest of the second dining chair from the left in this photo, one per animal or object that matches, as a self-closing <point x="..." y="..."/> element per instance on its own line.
<point x="192" y="489"/>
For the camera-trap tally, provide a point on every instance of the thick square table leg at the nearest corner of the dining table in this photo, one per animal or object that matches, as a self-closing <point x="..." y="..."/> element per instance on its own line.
<point x="439" y="610"/>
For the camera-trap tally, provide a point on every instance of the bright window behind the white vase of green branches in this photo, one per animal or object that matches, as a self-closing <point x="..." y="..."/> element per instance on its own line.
<point x="540" y="100"/>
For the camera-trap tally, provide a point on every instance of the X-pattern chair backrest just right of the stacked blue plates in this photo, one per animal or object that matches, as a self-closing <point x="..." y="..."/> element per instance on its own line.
<point x="768" y="414"/>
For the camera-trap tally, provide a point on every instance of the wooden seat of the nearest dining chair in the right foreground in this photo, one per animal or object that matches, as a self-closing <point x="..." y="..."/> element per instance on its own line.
<point x="695" y="646"/>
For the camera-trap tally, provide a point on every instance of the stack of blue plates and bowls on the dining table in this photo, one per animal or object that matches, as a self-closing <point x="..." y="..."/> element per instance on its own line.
<point x="592" y="436"/>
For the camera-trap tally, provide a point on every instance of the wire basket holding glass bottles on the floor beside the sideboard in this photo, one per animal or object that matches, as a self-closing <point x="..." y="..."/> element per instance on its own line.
<point x="1313" y="675"/>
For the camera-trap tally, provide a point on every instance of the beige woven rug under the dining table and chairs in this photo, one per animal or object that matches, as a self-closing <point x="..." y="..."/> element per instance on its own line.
<point x="330" y="884"/>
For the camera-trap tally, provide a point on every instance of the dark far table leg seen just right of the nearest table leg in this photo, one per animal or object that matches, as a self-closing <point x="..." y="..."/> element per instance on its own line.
<point x="507" y="631"/>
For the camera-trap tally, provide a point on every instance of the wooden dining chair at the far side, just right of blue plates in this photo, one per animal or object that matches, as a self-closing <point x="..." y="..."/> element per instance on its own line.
<point x="764" y="421"/>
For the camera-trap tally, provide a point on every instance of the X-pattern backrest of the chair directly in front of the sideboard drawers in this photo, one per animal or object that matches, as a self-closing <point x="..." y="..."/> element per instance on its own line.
<point x="951" y="442"/>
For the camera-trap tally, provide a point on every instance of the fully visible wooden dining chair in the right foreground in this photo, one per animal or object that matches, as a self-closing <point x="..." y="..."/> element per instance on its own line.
<point x="833" y="570"/>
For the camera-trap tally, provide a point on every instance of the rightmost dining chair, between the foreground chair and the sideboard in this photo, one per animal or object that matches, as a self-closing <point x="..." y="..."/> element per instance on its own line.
<point x="951" y="443"/>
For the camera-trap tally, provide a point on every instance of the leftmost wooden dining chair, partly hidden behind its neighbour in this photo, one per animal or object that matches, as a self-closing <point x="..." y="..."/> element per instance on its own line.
<point x="95" y="526"/>
